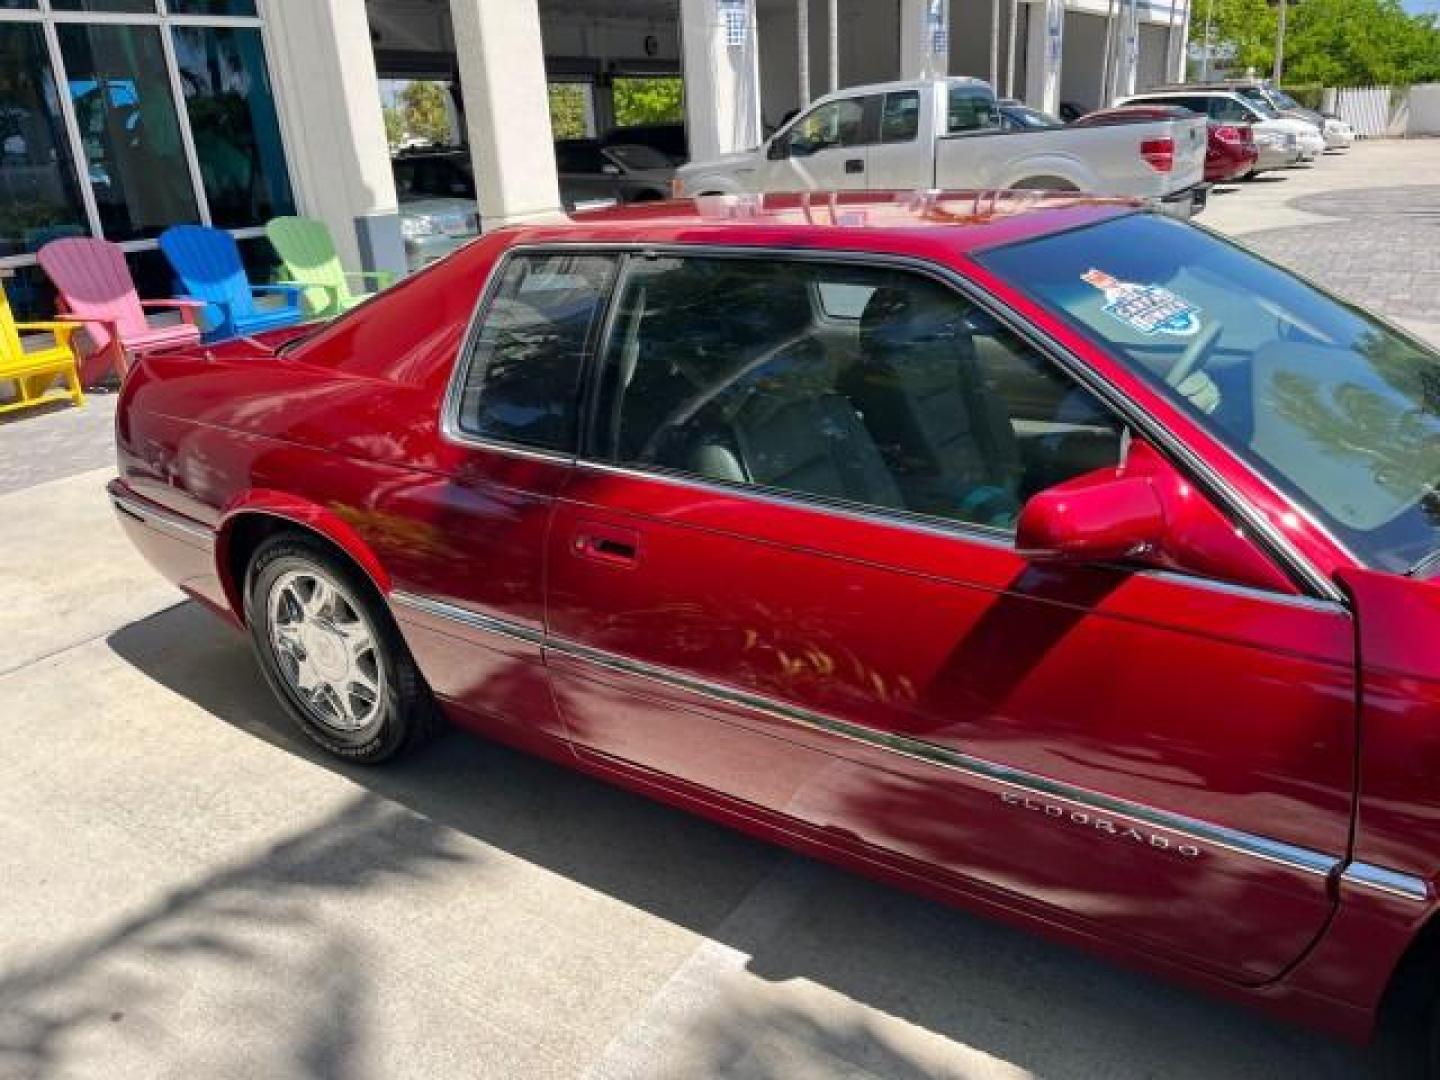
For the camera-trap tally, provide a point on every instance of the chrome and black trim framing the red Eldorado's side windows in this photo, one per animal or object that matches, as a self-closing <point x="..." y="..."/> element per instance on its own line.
<point x="1317" y="590"/>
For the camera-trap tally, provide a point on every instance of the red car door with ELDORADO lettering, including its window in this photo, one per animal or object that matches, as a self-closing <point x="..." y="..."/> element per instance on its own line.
<point x="786" y="574"/>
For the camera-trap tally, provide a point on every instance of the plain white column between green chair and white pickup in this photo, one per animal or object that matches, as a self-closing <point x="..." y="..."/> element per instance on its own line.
<point x="500" y="58"/>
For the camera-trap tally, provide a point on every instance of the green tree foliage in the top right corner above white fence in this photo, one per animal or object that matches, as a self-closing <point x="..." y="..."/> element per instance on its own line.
<point x="1331" y="42"/>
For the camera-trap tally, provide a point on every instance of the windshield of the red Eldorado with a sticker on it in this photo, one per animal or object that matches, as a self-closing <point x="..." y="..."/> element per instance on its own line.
<point x="1331" y="405"/>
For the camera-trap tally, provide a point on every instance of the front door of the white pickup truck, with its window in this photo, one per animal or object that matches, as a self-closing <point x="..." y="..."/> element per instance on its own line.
<point x="826" y="150"/>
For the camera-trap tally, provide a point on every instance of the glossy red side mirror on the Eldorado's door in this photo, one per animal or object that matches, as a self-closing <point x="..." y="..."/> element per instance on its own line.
<point x="1092" y="522"/>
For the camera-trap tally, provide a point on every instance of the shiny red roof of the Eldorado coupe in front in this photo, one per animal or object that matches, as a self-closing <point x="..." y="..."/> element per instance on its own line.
<point x="961" y="221"/>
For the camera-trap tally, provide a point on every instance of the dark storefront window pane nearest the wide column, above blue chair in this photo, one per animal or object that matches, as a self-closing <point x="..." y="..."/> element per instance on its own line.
<point x="234" y="123"/>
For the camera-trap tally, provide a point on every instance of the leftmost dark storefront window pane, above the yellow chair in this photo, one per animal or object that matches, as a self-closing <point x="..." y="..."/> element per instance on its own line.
<point x="40" y="198"/>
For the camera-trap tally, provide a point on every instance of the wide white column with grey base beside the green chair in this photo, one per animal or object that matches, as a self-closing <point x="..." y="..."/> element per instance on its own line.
<point x="329" y="102"/>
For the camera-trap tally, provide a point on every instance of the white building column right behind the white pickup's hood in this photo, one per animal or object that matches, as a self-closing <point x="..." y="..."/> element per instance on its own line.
<point x="722" y="68"/>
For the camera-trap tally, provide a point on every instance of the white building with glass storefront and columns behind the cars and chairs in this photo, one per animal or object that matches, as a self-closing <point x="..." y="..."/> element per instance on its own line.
<point x="127" y="116"/>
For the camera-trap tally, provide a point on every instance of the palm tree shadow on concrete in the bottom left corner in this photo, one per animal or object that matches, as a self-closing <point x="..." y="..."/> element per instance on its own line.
<point x="228" y="919"/>
